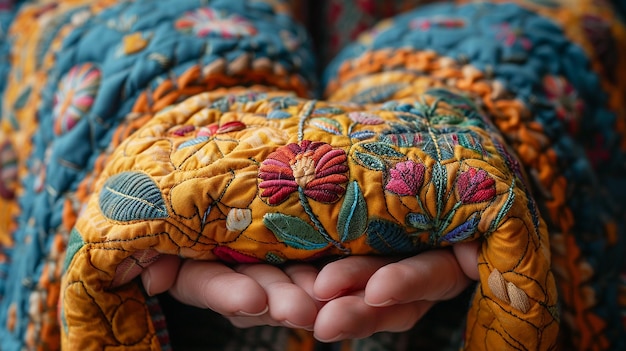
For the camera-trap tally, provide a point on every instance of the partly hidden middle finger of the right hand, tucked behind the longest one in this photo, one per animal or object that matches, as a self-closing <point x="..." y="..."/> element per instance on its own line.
<point x="343" y="276"/>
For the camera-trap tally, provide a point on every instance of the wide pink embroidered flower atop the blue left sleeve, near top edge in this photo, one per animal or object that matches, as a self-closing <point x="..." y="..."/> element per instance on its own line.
<point x="206" y="21"/>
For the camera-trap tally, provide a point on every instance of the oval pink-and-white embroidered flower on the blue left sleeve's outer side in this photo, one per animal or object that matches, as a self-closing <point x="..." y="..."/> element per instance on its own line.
<point x="76" y="94"/>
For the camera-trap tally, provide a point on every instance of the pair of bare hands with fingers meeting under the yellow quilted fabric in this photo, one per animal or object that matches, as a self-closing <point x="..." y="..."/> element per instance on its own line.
<point x="354" y="297"/>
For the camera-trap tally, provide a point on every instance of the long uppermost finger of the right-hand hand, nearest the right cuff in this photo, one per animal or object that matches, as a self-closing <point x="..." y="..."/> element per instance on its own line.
<point x="432" y="275"/>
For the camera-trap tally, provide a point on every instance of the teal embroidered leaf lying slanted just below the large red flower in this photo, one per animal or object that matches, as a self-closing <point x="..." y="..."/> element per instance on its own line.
<point x="294" y="232"/>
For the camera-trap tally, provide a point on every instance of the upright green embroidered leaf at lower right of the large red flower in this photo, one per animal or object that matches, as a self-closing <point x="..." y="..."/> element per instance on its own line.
<point x="352" y="220"/>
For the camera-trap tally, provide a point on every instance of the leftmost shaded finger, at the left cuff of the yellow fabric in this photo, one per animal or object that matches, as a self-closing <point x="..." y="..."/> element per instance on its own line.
<point x="160" y="275"/>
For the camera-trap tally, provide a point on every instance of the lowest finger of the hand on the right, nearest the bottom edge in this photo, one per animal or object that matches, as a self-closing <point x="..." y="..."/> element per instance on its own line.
<point x="349" y="317"/>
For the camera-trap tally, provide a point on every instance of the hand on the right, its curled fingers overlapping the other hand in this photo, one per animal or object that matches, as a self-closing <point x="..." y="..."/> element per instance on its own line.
<point x="372" y="294"/>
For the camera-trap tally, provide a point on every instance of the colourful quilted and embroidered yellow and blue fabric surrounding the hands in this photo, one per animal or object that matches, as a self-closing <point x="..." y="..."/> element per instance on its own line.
<point x="135" y="129"/>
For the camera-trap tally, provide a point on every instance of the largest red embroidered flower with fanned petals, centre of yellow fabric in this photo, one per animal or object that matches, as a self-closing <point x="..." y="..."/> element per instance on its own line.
<point x="315" y="167"/>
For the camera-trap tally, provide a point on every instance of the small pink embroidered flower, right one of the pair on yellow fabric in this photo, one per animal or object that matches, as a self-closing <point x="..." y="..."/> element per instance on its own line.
<point x="475" y="185"/>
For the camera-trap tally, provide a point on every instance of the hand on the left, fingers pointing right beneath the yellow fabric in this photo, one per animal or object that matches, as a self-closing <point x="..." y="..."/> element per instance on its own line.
<point x="246" y="294"/>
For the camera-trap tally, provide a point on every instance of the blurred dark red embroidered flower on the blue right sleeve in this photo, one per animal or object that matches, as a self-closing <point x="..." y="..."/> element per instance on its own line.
<point x="568" y="106"/>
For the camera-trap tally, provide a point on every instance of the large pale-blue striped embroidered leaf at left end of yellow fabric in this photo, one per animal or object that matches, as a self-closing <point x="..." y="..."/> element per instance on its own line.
<point x="131" y="196"/>
